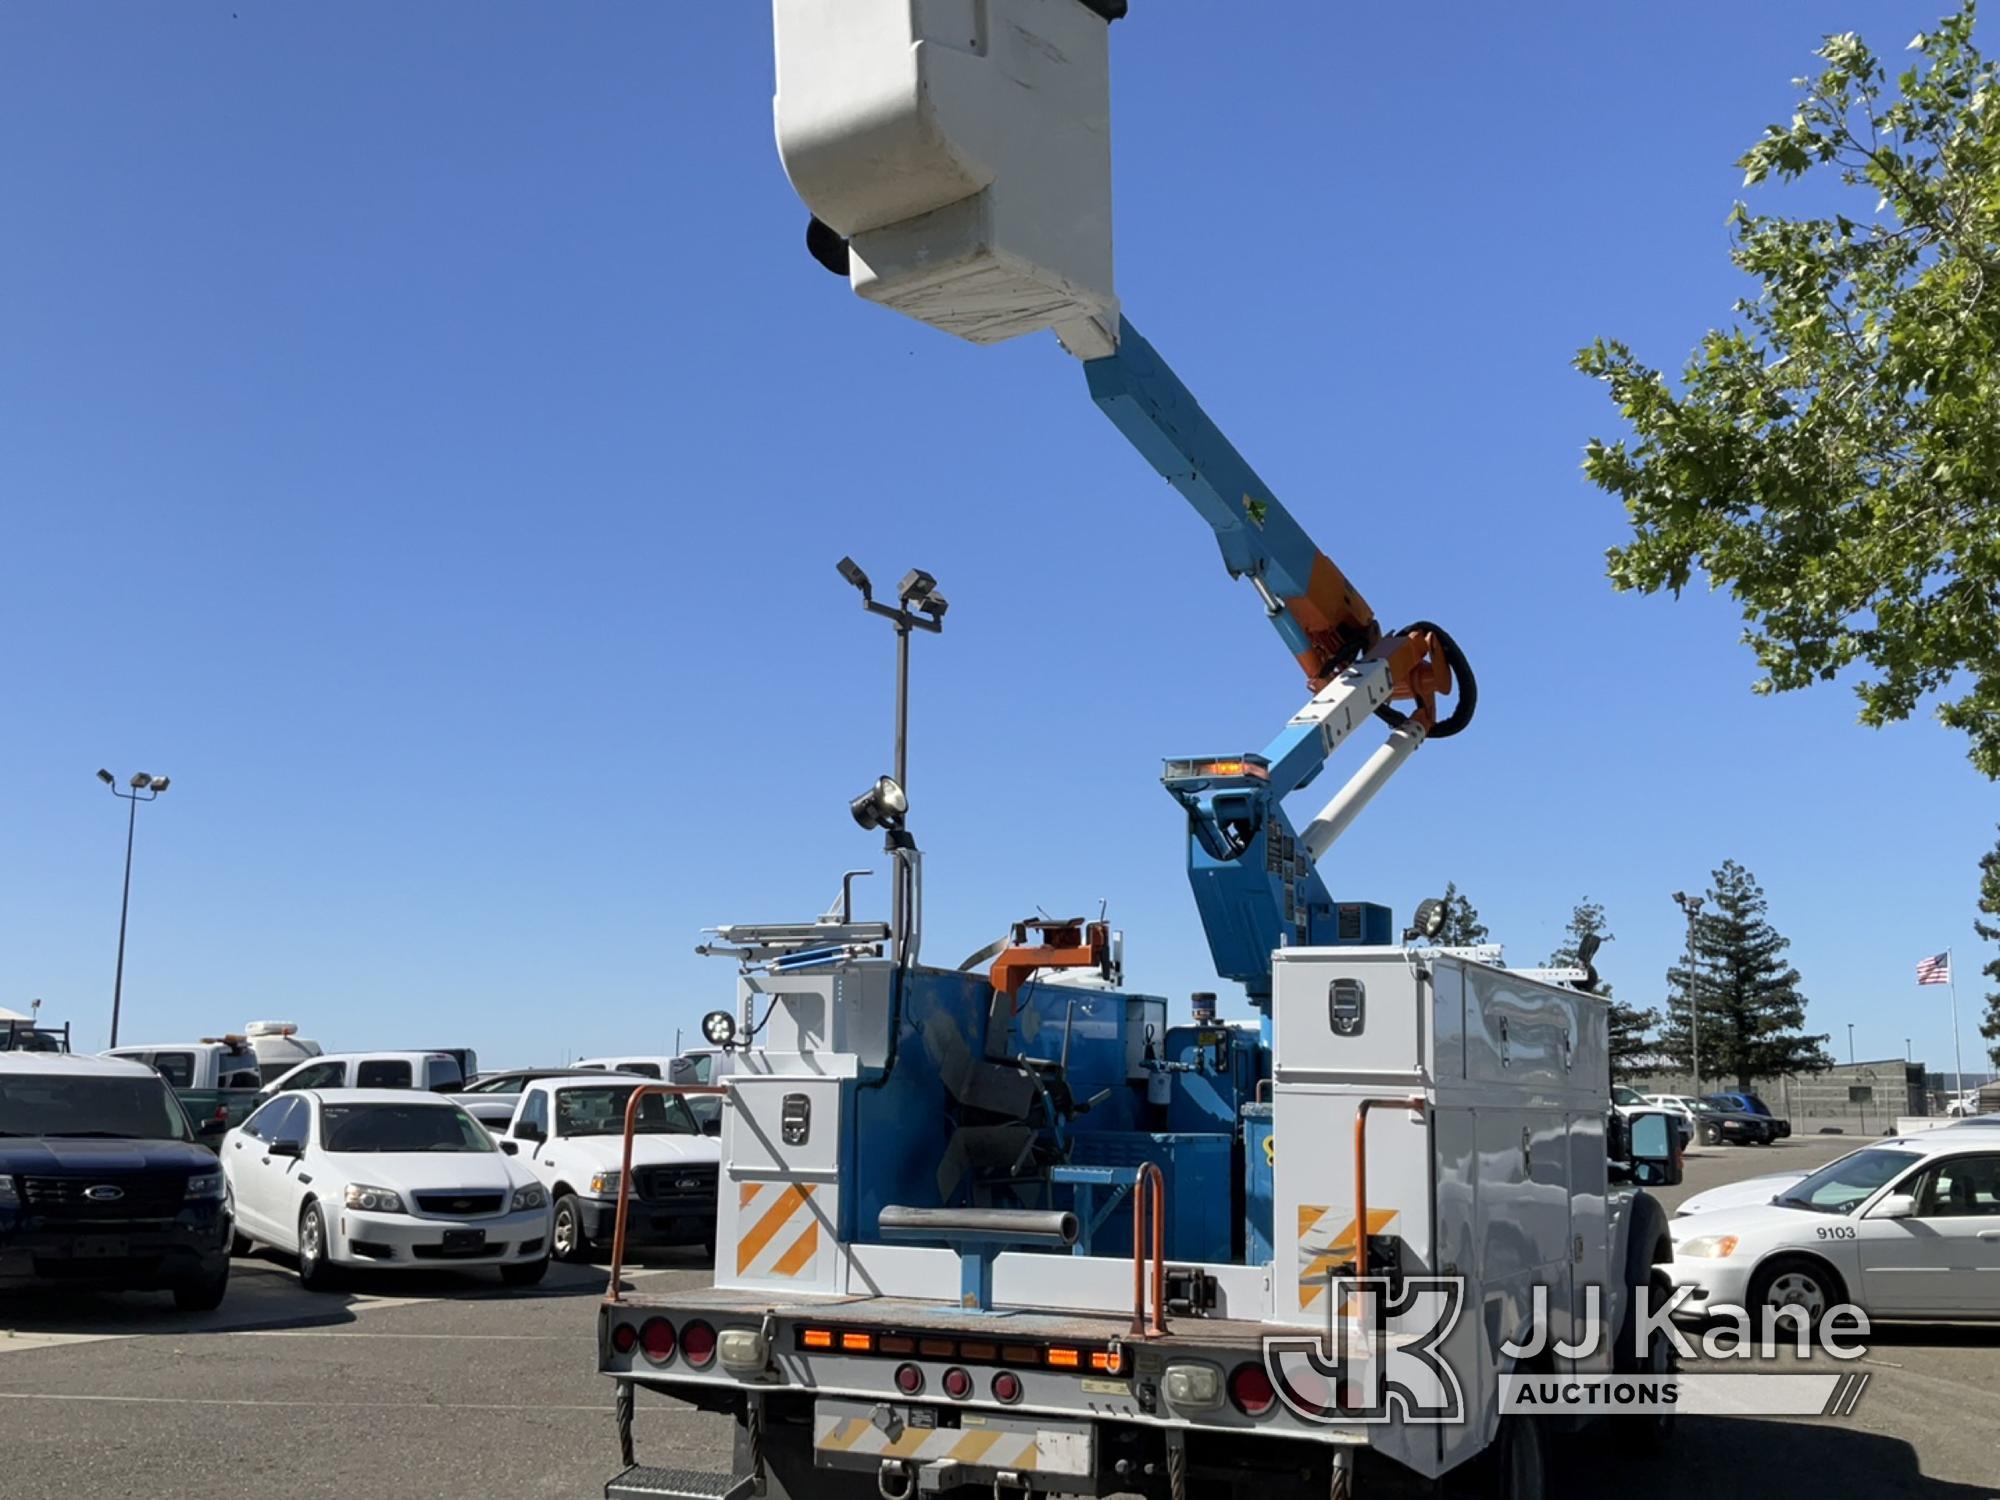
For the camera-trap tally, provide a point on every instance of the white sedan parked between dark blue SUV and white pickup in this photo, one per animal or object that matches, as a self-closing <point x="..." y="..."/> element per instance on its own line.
<point x="383" y="1179"/>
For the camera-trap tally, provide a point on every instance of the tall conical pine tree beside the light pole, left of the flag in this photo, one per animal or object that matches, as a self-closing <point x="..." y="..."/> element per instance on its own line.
<point x="1753" y="1015"/>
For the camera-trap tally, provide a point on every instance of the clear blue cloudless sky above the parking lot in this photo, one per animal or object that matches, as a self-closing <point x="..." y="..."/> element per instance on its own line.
<point x="425" y="437"/>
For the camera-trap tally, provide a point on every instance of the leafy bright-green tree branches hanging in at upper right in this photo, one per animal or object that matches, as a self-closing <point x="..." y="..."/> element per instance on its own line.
<point x="1831" y="457"/>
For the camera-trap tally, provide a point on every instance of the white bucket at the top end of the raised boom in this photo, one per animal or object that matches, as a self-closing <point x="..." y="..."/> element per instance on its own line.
<point x="963" y="149"/>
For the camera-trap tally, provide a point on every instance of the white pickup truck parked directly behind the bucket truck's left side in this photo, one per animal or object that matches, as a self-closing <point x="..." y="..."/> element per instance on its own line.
<point x="571" y="1135"/>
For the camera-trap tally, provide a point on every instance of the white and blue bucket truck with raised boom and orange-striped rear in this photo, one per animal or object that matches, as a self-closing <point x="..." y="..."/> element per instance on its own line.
<point x="1009" y="1229"/>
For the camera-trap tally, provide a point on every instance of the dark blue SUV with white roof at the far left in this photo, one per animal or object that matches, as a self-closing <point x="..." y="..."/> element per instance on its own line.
<point x="105" y="1185"/>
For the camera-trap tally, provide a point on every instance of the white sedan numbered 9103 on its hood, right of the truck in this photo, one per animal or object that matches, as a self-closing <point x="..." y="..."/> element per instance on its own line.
<point x="1905" y="1229"/>
